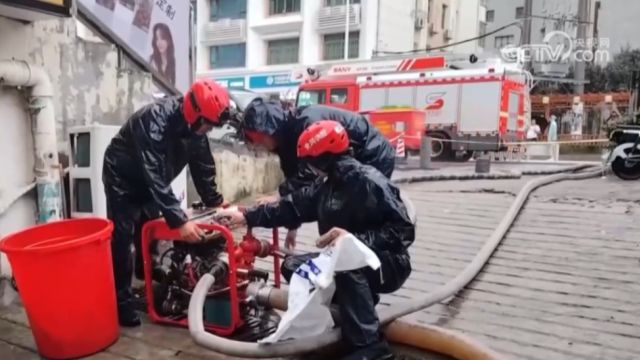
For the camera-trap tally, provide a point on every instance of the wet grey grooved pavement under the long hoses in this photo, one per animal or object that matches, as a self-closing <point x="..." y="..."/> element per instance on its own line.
<point x="561" y="286"/>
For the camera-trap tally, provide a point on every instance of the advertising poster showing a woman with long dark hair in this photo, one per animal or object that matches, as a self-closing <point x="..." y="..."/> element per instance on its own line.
<point x="156" y="31"/>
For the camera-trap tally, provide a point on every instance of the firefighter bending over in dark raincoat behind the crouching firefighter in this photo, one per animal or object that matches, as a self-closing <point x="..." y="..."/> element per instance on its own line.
<point x="268" y="125"/>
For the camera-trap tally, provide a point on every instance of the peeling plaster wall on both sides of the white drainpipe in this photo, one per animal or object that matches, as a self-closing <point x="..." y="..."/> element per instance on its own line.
<point x="88" y="87"/>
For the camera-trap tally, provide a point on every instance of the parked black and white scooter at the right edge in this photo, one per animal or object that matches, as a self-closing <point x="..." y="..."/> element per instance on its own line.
<point x="625" y="156"/>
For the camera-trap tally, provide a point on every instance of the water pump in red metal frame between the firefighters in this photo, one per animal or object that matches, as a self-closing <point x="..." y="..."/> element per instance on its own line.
<point x="173" y="267"/>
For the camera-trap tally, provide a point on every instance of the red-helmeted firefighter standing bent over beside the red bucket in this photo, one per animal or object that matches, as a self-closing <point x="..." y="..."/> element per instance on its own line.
<point x="150" y="150"/>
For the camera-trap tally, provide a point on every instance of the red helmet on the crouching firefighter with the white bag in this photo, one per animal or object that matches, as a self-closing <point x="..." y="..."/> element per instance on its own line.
<point x="323" y="137"/>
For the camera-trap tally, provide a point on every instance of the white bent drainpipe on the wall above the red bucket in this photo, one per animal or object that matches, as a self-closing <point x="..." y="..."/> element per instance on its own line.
<point x="40" y="106"/>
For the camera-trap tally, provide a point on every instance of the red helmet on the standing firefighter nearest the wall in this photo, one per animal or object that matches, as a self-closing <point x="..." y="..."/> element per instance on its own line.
<point x="207" y="100"/>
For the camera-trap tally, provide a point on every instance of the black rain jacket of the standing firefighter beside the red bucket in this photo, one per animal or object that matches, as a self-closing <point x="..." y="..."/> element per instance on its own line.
<point x="149" y="151"/>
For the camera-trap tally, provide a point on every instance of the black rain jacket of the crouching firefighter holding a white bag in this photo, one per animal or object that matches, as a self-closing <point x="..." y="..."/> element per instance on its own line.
<point x="355" y="197"/>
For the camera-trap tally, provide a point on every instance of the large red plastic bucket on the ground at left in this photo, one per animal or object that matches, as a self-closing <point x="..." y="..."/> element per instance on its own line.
<point x="64" y="274"/>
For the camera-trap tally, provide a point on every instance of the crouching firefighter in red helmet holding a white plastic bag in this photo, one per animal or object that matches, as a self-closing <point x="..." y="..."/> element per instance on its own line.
<point x="354" y="198"/>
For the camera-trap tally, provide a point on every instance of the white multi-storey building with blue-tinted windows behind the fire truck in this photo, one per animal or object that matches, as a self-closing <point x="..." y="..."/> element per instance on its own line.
<point x="255" y="44"/>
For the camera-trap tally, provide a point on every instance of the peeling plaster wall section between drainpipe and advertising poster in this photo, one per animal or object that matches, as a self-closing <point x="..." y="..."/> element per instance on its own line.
<point x="89" y="85"/>
